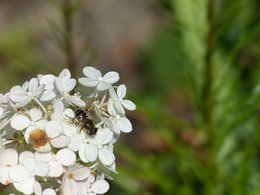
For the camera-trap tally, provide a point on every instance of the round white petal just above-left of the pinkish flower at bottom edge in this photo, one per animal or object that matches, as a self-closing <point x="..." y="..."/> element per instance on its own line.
<point x="66" y="157"/>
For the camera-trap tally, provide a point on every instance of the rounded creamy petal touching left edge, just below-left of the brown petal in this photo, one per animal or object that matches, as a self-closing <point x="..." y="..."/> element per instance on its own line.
<point x="8" y="157"/>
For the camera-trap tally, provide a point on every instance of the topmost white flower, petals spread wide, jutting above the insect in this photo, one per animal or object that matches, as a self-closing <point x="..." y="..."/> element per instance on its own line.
<point x="94" y="78"/>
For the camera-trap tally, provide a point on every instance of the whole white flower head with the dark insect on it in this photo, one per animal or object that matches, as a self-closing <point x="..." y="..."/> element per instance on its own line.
<point x="56" y="135"/>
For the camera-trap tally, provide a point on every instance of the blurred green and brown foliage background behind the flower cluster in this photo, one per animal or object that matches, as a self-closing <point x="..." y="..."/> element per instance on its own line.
<point x="191" y="66"/>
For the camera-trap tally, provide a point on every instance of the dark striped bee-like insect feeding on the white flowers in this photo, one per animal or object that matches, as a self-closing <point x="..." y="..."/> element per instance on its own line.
<point x="83" y="118"/>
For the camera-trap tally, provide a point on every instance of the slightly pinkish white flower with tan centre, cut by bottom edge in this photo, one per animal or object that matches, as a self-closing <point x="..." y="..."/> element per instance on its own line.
<point x="71" y="180"/>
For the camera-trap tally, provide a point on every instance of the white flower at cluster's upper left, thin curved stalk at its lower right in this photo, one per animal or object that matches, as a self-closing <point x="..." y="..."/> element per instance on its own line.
<point x="25" y="94"/>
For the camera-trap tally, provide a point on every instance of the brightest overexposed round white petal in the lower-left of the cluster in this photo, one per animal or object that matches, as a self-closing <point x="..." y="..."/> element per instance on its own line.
<point x="18" y="173"/>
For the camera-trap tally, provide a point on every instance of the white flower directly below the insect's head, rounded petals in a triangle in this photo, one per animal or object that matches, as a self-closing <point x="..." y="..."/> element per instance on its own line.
<point x="98" y="147"/>
